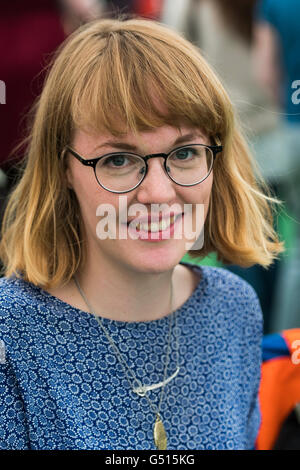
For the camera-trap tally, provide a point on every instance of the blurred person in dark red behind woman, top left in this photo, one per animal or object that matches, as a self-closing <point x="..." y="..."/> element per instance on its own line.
<point x="29" y="33"/>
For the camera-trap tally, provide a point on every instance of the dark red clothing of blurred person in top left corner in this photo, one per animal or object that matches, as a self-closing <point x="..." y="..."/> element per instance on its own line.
<point x="29" y="32"/>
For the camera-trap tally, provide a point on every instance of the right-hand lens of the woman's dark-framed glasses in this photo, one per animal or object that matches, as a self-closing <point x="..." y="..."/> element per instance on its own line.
<point x="190" y="164"/>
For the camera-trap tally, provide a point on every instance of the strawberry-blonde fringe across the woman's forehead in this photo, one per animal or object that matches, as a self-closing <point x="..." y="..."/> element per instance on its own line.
<point x="135" y="85"/>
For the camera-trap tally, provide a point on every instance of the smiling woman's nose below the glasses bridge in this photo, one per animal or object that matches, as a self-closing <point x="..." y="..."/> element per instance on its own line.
<point x="157" y="187"/>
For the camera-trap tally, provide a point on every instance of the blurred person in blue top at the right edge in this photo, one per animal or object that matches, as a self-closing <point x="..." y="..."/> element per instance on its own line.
<point x="277" y="59"/>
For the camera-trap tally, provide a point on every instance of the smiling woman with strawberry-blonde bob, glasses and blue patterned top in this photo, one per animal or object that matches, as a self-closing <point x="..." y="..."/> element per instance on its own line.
<point x="112" y="342"/>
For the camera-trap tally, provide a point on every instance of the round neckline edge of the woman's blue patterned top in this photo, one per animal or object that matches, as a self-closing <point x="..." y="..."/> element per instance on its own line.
<point x="58" y="302"/>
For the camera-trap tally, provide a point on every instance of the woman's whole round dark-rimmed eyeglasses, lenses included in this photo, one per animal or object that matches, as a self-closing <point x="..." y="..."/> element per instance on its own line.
<point x="122" y="172"/>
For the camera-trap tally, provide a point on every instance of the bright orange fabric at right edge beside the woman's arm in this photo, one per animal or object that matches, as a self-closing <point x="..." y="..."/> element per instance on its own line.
<point x="279" y="391"/>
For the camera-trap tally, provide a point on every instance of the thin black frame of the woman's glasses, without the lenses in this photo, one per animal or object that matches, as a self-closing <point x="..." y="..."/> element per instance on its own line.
<point x="215" y="149"/>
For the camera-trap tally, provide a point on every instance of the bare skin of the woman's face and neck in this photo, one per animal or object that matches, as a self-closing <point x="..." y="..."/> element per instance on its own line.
<point x="136" y="274"/>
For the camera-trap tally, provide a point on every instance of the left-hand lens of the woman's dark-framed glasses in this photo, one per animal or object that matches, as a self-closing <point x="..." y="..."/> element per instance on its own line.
<point x="120" y="172"/>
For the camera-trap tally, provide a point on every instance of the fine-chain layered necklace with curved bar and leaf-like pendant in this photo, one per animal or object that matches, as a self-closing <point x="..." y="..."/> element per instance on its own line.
<point x="159" y="432"/>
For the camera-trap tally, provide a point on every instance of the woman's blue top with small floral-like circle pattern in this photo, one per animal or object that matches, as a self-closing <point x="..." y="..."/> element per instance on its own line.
<point x="61" y="386"/>
